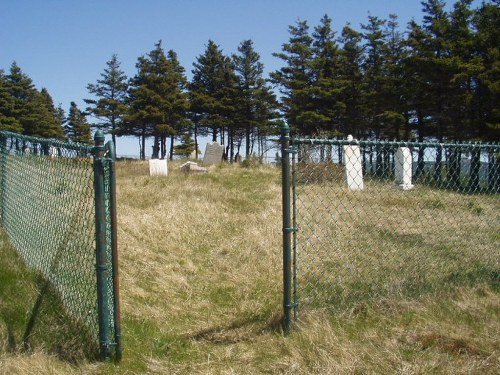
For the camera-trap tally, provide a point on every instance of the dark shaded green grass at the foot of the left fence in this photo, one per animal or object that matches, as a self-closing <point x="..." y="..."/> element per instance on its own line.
<point x="32" y="316"/>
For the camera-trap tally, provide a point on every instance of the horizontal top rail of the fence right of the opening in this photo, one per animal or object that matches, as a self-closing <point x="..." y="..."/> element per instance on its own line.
<point x="343" y="142"/>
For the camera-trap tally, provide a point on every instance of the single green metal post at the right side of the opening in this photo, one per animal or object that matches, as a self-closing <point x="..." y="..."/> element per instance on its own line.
<point x="287" y="229"/>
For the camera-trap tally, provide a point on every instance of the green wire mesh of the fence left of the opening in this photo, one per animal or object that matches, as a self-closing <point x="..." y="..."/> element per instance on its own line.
<point x="48" y="212"/>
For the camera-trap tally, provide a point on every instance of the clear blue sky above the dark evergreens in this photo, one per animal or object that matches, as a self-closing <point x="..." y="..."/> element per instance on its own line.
<point x="63" y="45"/>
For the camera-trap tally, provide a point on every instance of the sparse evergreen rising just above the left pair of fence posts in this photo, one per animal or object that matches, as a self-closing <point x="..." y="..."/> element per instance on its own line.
<point x="111" y="92"/>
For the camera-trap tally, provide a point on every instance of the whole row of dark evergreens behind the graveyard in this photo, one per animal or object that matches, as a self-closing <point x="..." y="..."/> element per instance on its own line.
<point x="436" y="80"/>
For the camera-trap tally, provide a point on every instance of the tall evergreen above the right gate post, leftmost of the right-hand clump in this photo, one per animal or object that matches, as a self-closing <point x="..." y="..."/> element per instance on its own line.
<point x="295" y="79"/>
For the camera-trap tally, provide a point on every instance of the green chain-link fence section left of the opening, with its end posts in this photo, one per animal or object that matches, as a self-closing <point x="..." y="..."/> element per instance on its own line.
<point x="58" y="208"/>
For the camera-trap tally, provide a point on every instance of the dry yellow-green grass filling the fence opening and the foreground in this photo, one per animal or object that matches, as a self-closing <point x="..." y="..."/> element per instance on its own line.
<point x="201" y="269"/>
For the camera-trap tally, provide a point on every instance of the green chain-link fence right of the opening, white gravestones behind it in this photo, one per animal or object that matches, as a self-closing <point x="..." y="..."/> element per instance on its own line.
<point x="368" y="220"/>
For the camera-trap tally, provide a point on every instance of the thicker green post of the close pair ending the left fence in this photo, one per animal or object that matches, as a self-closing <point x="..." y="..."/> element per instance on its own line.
<point x="100" y="233"/>
